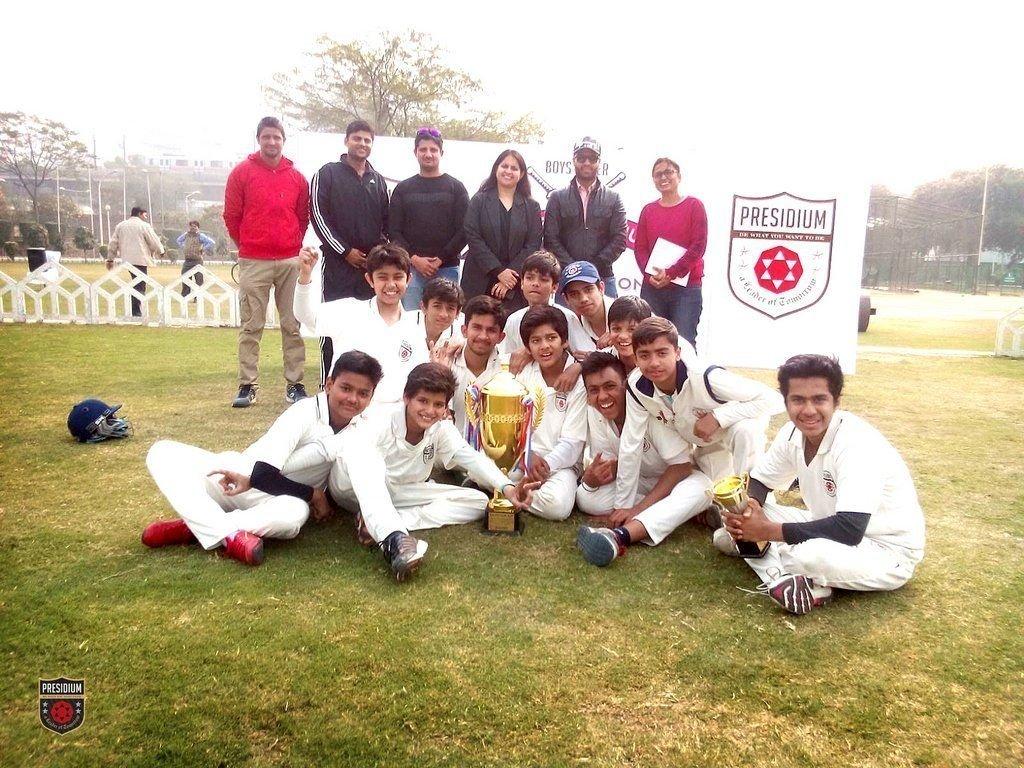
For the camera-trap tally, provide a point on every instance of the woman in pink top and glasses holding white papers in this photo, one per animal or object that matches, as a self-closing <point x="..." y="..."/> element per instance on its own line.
<point x="681" y="222"/>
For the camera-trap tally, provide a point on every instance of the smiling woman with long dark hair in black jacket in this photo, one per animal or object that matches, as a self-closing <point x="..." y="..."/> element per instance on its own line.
<point x="503" y="228"/>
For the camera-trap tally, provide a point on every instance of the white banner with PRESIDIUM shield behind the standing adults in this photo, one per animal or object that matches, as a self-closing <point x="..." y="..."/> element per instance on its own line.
<point x="786" y="235"/>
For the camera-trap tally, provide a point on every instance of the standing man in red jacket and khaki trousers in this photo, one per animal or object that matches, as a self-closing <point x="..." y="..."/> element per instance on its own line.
<point x="267" y="210"/>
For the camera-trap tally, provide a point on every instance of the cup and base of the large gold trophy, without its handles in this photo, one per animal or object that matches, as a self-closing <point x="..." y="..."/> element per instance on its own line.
<point x="503" y="424"/>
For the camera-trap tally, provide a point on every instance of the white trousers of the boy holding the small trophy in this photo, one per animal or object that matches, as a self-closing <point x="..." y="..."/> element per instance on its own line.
<point x="867" y="567"/>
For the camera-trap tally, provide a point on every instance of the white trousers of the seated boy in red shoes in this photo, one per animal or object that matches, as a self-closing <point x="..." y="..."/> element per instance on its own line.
<point x="182" y="475"/>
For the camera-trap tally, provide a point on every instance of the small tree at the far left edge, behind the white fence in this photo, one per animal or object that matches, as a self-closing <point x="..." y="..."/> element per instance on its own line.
<point x="33" y="149"/>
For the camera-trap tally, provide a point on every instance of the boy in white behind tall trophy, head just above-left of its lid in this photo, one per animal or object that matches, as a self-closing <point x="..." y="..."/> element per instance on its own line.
<point x="480" y="359"/>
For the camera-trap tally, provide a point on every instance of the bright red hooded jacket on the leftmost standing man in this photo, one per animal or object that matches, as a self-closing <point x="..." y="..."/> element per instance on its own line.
<point x="267" y="210"/>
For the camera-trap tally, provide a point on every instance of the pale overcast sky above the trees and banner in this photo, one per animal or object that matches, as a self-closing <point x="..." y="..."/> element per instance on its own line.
<point x="912" y="91"/>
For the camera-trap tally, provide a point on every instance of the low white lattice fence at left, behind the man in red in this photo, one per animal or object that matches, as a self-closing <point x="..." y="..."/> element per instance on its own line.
<point x="54" y="293"/>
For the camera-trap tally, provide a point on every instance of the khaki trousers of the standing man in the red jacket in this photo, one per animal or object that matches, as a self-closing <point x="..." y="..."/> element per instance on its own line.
<point x="255" y="280"/>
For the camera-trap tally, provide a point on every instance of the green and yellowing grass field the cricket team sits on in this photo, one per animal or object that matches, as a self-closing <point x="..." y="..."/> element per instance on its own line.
<point x="501" y="652"/>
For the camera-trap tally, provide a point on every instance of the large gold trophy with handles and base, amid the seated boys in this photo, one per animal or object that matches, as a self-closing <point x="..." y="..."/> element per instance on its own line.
<point x="502" y="418"/>
